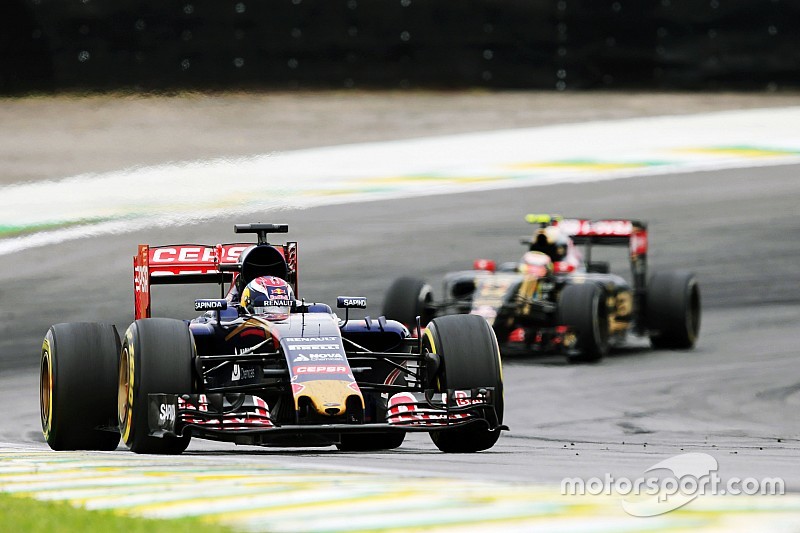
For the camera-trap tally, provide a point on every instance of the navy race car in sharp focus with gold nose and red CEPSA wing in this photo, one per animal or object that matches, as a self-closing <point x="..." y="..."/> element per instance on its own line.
<point x="261" y="367"/>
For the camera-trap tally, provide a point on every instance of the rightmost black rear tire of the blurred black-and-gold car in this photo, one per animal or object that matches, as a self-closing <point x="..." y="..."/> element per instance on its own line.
<point x="673" y="310"/>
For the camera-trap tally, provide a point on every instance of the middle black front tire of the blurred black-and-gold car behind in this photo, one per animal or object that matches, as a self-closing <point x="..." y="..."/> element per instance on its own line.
<point x="582" y="306"/>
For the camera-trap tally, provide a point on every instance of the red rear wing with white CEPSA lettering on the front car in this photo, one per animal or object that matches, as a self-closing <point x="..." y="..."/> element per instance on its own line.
<point x="194" y="263"/>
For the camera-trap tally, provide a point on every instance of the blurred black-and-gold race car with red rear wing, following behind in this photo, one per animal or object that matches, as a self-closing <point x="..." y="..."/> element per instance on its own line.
<point x="557" y="300"/>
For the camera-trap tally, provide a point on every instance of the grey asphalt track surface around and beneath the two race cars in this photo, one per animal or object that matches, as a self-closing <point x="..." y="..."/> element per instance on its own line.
<point x="736" y="396"/>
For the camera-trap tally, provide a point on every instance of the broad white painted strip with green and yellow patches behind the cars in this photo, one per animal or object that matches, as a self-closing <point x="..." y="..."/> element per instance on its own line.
<point x="136" y="198"/>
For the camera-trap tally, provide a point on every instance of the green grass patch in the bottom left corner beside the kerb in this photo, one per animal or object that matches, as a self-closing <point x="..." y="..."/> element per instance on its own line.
<point x="25" y="515"/>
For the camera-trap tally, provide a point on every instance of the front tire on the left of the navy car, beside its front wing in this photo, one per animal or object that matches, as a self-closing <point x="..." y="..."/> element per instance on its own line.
<point x="156" y="357"/>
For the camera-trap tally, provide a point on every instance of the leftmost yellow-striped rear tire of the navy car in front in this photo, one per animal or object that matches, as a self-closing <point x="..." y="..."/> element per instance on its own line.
<point x="77" y="386"/>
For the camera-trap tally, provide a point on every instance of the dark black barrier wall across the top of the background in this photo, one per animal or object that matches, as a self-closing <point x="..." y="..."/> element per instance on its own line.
<point x="542" y="44"/>
